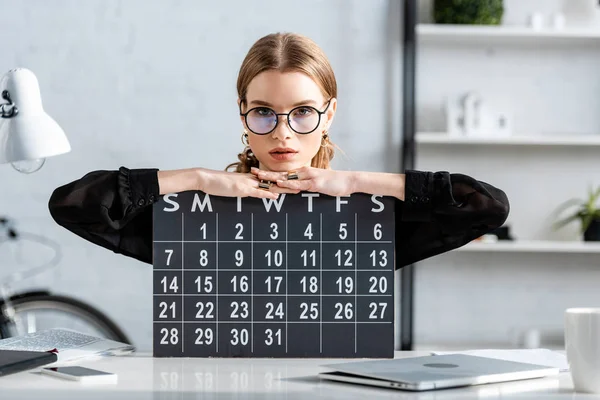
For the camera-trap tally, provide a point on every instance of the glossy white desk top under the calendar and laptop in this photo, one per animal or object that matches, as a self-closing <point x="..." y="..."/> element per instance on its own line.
<point x="144" y="377"/>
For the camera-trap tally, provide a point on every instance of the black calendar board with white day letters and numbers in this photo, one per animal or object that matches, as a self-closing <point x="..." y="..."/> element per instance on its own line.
<point x="306" y="275"/>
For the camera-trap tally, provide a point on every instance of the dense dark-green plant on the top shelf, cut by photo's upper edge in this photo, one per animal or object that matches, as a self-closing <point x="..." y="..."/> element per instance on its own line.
<point x="474" y="12"/>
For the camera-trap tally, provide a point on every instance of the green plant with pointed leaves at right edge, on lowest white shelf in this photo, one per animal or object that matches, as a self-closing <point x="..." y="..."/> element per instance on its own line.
<point x="587" y="211"/>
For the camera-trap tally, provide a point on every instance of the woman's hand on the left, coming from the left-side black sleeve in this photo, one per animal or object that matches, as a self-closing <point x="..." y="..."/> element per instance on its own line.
<point x="234" y="184"/>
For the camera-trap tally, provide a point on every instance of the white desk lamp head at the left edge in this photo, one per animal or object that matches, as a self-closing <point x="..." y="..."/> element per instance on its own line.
<point x="27" y="134"/>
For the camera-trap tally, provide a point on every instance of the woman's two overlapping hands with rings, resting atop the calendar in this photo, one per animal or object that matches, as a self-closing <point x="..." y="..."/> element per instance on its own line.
<point x="268" y="184"/>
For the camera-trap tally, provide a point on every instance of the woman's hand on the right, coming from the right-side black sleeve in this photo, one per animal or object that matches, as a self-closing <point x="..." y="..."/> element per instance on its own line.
<point x="326" y="181"/>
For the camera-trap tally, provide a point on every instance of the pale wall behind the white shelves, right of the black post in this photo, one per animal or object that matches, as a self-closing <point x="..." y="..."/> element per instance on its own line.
<point x="550" y="89"/>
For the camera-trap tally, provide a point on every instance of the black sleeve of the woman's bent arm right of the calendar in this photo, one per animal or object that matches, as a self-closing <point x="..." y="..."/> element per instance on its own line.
<point x="443" y="211"/>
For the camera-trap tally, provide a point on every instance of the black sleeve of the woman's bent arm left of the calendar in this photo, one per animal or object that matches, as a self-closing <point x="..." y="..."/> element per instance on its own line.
<point x="110" y="209"/>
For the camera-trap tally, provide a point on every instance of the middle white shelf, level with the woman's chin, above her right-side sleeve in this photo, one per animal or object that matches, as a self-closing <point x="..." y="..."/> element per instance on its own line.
<point x="538" y="140"/>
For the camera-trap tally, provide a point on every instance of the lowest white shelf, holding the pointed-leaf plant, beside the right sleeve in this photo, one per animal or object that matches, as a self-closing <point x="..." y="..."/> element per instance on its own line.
<point x="533" y="246"/>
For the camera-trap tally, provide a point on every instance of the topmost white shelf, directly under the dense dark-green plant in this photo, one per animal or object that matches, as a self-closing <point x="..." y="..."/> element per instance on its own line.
<point x="486" y="34"/>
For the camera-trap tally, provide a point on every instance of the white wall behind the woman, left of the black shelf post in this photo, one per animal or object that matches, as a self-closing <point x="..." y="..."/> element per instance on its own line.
<point x="152" y="84"/>
